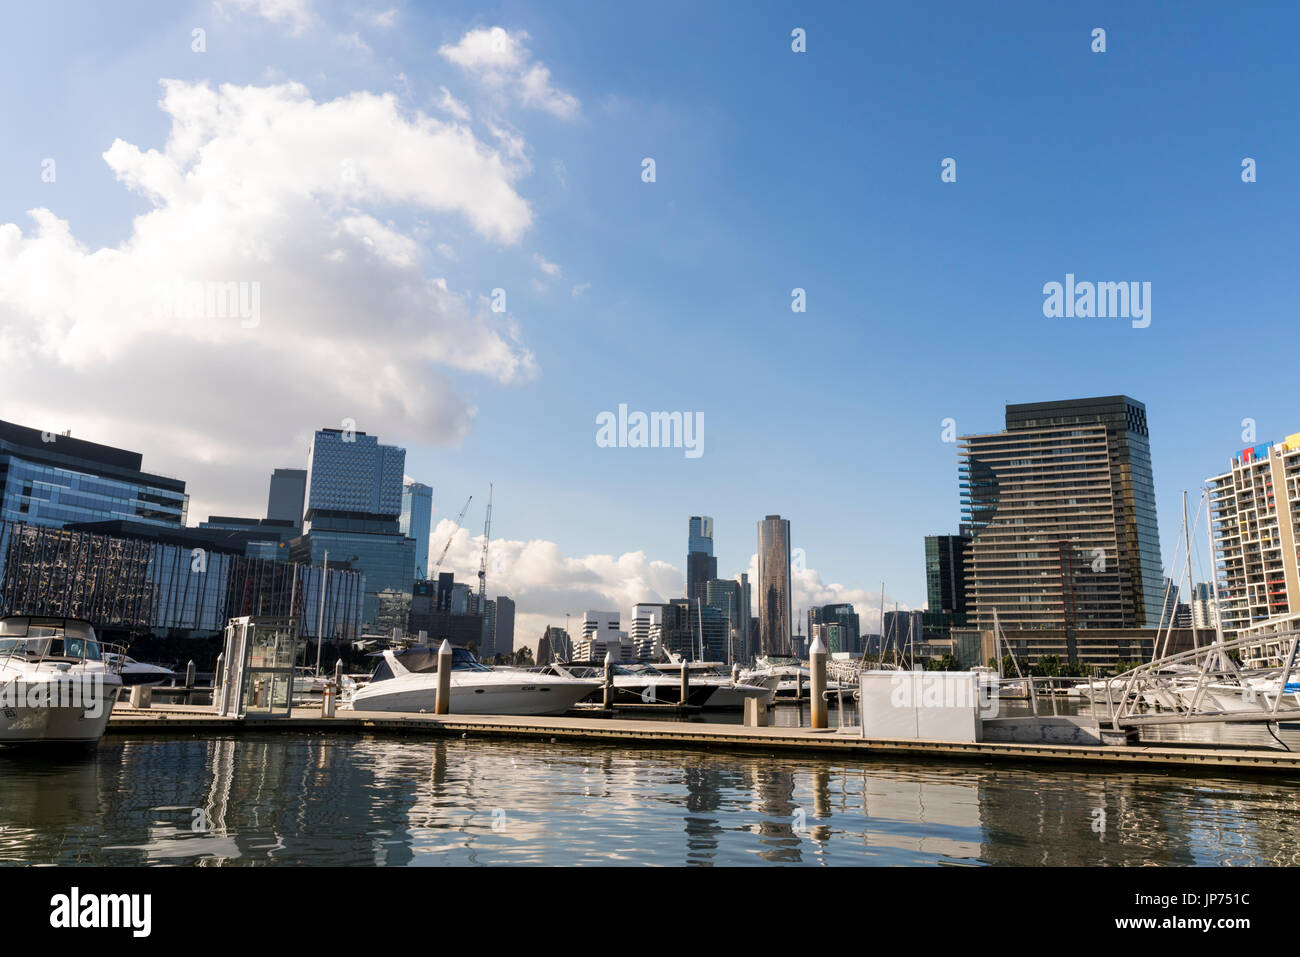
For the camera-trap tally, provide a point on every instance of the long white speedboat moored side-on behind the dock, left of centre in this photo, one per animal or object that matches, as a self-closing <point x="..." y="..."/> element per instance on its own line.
<point x="408" y="681"/>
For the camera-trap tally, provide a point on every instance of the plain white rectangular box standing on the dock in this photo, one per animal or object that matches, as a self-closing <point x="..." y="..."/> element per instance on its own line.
<point x="921" y="705"/>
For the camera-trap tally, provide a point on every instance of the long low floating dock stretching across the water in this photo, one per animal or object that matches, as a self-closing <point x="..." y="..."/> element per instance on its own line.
<point x="846" y="743"/>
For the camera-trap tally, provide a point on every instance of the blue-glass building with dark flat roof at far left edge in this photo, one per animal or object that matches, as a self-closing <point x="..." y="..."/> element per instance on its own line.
<point x="58" y="480"/>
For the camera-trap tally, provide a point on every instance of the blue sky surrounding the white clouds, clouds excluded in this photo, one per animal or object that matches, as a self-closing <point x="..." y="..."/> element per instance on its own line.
<point x="774" y="171"/>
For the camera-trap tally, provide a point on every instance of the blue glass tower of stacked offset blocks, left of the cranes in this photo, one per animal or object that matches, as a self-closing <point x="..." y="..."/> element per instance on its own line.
<point x="354" y="503"/>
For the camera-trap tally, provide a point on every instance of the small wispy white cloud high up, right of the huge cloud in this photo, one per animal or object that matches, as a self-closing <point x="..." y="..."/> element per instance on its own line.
<point x="504" y="66"/>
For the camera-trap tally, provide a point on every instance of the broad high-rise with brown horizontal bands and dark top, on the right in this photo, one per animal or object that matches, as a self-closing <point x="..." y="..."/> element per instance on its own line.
<point x="1063" y="513"/>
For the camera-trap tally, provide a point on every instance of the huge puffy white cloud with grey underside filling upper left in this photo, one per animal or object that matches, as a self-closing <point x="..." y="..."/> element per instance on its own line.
<point x="283" y="202"/>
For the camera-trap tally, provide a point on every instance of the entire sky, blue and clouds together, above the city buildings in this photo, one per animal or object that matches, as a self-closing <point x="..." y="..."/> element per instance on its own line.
<point x="735" y="220"/>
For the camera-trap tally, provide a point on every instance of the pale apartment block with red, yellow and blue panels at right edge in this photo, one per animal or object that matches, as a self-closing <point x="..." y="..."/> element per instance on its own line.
<point x="1256" y="510"/>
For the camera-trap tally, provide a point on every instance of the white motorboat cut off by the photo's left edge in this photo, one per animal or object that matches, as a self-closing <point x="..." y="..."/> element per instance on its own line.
<point x="57" y="686"/>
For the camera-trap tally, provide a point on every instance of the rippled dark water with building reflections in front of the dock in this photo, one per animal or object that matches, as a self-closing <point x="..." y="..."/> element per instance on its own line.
<point x="358" y="800"/>
